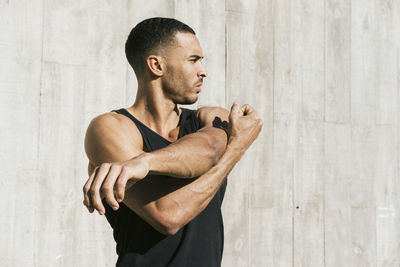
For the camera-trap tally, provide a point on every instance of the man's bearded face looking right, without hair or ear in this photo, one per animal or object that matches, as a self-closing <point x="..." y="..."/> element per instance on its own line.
<point x="184" y="69"/>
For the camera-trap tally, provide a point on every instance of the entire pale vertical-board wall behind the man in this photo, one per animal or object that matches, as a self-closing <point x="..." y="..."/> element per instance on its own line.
<point x="320" y="187"/>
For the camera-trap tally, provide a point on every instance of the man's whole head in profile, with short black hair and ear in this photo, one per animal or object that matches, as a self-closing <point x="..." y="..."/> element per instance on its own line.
<point x="167" y="50"/>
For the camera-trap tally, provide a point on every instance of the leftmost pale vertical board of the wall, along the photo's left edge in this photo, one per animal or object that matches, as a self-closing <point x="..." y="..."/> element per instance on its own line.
<point x="20" y="56"/>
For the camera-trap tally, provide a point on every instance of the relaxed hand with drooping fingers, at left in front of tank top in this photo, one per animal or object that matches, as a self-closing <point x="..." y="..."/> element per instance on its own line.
<point x="110" y="180"/>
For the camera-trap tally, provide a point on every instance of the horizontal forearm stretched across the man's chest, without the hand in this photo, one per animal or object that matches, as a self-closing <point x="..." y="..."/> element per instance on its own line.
<point x="190" y="156"/>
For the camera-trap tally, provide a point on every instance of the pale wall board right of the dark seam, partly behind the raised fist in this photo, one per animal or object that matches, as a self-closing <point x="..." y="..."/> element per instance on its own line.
<point x="236" y="249"/>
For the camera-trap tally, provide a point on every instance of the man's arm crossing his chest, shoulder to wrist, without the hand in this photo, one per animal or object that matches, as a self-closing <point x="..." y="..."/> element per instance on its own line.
<point x="195" y="153"/>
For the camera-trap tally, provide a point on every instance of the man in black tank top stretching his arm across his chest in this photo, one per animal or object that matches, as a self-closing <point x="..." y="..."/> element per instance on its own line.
<point x="163" y="192"/>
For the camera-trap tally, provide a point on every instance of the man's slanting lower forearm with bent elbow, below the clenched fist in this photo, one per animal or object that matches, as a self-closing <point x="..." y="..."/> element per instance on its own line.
<point x="172" y="211"/>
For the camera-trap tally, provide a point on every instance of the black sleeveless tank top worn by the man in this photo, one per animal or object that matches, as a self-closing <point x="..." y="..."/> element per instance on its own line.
<point x="199" y="243"/>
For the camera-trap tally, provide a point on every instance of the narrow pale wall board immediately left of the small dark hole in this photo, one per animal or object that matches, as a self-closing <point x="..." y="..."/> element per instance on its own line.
<point x="284" y="140"/>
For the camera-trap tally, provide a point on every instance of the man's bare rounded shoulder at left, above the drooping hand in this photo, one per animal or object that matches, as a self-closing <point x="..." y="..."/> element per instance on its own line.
<point x="111" y="137"/>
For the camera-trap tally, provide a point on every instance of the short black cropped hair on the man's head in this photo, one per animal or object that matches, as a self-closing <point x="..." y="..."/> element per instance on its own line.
<point x="149" y="35"/>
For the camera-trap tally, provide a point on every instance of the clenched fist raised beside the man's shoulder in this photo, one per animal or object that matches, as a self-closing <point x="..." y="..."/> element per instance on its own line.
<point x="244" y="126"/>
